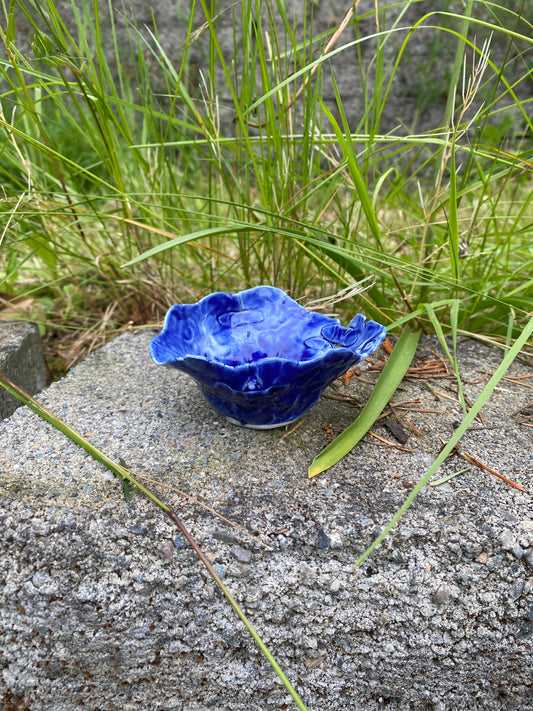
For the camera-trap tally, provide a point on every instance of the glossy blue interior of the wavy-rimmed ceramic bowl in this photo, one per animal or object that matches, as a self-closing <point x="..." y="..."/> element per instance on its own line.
<point x="254" y="325"/>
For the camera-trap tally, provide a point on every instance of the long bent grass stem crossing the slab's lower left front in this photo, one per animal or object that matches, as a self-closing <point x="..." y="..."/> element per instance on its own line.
<point x="126" y="475"/>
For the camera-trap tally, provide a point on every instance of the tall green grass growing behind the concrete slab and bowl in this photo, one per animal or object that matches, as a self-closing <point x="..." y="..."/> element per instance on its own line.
<point x="104" y="162"/>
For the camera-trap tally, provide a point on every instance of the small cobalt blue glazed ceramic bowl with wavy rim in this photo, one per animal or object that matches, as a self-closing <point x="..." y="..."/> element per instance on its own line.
<point x="259" y="357"/>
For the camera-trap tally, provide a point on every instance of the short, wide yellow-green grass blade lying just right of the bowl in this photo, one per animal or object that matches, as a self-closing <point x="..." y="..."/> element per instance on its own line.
<point x="391" y="376"/>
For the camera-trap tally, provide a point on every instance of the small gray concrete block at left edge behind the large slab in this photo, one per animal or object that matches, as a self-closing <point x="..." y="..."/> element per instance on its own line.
<point x="21" y="360"/>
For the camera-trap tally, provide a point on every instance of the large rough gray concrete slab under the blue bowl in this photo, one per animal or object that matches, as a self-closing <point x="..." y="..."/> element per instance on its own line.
<point x="104" y="607"/>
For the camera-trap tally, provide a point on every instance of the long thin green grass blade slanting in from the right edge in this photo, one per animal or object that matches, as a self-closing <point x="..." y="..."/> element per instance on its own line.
<point x="459" y="432"/>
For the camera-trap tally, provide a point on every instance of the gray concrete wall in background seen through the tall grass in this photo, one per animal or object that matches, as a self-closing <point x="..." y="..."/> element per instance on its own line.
<point x="418" y="93"/>
